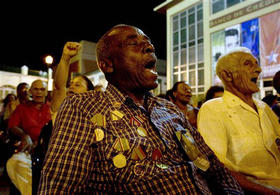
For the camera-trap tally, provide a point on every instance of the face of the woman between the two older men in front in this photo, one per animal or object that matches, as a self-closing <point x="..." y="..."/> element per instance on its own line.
<point x="183" y="93"/>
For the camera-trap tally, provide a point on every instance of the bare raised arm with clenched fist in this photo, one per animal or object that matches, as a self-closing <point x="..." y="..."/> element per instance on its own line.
<point x="61" y="74"/>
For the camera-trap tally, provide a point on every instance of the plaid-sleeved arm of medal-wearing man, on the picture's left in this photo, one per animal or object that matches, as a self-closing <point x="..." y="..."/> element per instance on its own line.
<point x="68" y="160"/>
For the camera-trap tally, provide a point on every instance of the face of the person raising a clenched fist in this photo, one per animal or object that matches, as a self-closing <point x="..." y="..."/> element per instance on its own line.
<point x="77" y="85"/>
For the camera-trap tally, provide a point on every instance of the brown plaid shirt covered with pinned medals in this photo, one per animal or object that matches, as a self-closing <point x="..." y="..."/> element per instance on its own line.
<point x="93" y="129"/>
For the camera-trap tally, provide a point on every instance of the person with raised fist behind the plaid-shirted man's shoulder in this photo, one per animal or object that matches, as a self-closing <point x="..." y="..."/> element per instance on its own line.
<point x="79" y="84"/>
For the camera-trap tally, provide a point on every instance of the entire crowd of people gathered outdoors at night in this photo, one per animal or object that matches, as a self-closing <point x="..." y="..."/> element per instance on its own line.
<point x="126" y="140"/>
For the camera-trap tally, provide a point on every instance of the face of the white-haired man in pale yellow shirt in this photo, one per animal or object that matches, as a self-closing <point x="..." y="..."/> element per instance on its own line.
<point x="246" y="75"/>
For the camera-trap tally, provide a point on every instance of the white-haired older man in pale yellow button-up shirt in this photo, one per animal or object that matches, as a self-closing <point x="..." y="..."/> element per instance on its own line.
<point x="243" y="131"/>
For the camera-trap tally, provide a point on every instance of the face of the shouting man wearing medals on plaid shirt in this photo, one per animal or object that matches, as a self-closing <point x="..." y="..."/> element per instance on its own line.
<point x="134" y="60"/>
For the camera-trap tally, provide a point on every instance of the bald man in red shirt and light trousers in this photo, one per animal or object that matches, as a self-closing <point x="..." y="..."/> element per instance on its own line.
<point x="26" y="123"/>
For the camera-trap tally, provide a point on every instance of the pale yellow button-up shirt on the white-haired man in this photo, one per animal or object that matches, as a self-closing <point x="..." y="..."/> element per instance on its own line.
<point x="244" y="140"/>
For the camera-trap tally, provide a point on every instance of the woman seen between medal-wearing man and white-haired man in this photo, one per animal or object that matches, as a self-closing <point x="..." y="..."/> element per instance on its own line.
<point x="182" y="94"/>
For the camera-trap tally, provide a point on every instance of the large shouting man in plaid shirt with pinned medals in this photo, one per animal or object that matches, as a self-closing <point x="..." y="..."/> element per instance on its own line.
<point x="125" y="140"/>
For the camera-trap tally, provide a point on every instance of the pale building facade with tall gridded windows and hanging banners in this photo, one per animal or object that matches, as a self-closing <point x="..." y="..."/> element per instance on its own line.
<point x="198" y="32"/>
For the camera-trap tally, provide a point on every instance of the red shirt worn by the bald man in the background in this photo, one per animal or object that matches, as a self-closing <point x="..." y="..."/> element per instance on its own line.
<point x="30" y="119"/>
